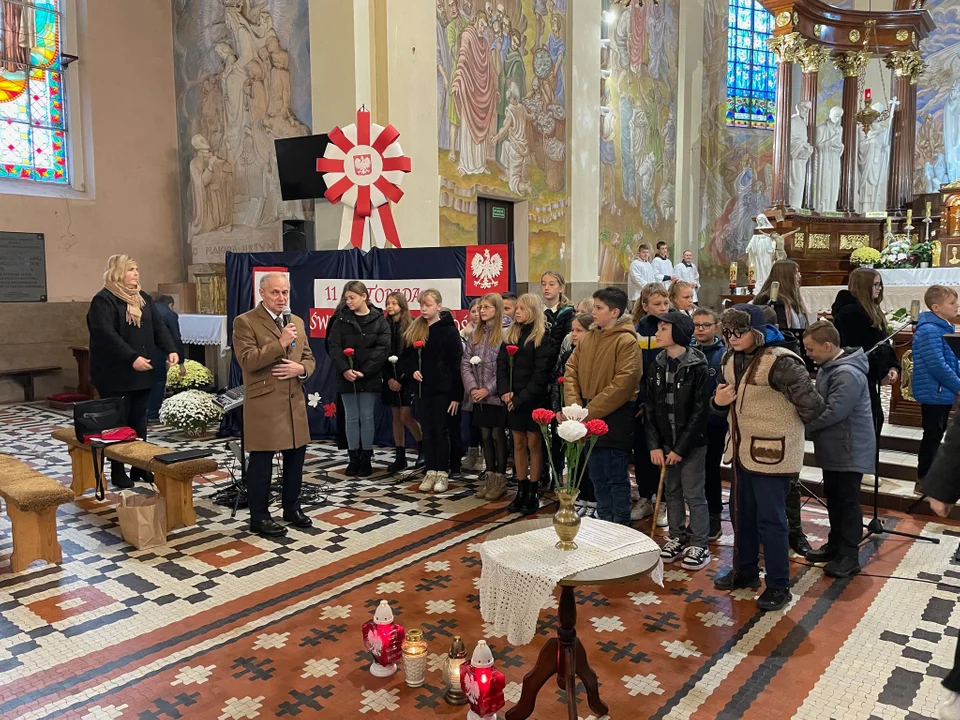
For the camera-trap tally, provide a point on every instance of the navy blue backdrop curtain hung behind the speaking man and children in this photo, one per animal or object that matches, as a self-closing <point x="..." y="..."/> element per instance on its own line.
<point x="353" y="264"/>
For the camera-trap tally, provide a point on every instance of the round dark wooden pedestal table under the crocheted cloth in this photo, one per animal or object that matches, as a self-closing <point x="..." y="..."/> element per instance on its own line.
<point x="564" y="655"/>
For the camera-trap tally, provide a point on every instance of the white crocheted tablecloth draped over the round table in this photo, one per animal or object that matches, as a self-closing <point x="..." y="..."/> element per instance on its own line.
<point x="520" y="573"/>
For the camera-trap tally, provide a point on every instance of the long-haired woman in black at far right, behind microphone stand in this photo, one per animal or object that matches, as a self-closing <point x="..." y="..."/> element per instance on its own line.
<point x="861" y="323"/>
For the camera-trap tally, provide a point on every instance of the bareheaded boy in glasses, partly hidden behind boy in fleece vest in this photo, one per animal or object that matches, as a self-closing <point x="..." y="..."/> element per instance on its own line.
<point x="706" y="325"/>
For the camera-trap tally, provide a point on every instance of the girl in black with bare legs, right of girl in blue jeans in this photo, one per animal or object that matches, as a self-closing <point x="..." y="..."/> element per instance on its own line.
<point x="396" y="393"/>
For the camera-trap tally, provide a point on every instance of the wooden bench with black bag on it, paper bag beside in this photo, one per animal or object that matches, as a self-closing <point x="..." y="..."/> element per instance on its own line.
<point x="174" y="480"/>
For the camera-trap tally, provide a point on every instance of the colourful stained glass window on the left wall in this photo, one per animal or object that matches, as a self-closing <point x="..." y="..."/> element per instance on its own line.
<point x="32" y="114"/>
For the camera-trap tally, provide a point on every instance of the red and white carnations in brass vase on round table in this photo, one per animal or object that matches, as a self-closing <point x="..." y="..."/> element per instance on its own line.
<point x="579" y="437"/>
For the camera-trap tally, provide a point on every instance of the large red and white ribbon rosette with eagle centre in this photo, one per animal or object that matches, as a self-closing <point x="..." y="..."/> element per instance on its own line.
<point x="363" y="167"/>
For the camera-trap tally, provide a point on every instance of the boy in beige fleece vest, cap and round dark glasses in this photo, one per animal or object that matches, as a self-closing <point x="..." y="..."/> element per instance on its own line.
<point x="768" y="396"/>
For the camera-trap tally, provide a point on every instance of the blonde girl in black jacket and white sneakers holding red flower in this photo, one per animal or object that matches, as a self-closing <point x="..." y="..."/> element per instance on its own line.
<point x="431" y="359"/>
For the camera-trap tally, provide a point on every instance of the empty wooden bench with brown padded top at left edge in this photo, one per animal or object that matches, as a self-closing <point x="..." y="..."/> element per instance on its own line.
<point x="32" y="500"/>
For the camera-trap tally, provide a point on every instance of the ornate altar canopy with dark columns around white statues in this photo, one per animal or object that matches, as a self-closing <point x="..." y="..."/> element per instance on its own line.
<point x="835" y="218"/>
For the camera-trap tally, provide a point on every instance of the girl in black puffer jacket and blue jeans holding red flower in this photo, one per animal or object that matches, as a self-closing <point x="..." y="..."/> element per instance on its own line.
<point x="358" y="341"/>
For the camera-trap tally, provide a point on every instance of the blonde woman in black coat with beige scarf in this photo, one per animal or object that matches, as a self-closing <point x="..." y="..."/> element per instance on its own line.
<point x="125" y="333"/>
